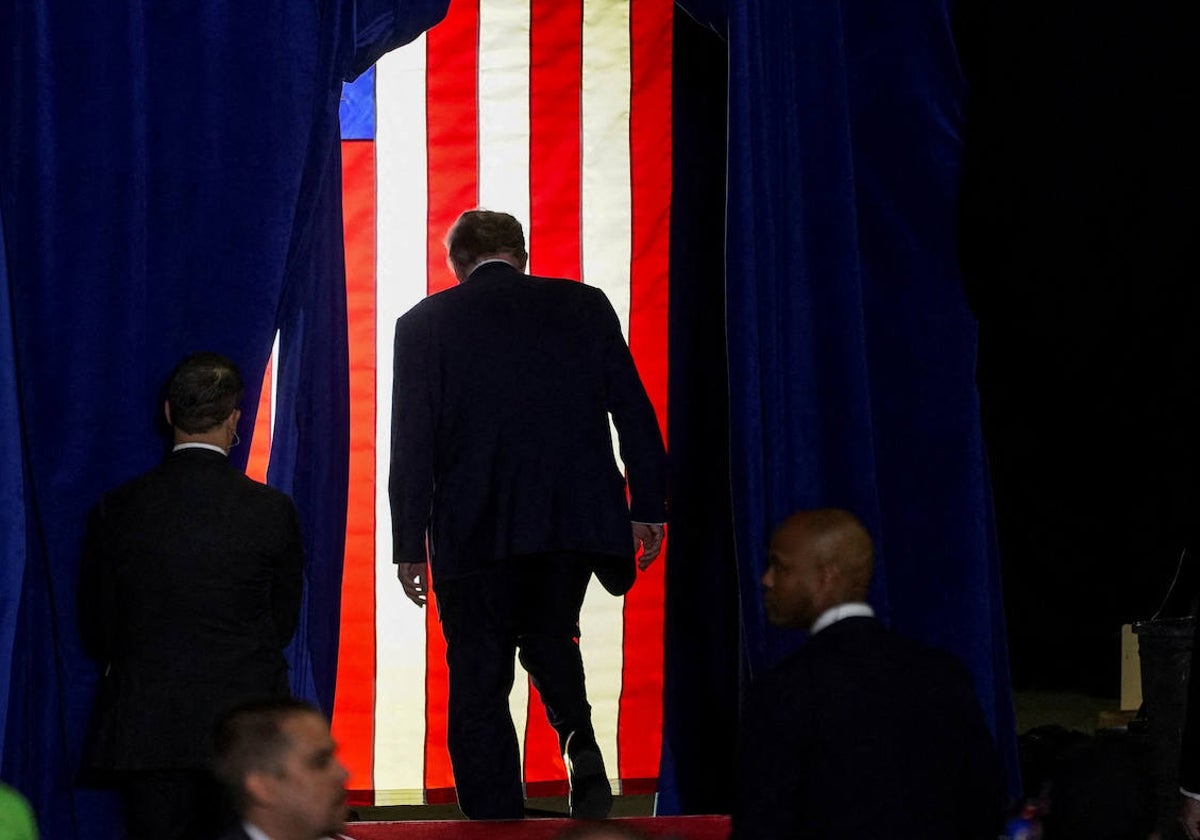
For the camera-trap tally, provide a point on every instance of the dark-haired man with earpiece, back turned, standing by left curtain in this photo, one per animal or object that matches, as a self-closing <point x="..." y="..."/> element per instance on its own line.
<point x="190" y="590"/>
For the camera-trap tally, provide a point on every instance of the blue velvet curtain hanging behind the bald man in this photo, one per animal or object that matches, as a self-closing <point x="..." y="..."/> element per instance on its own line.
<point x="851" y="349"/>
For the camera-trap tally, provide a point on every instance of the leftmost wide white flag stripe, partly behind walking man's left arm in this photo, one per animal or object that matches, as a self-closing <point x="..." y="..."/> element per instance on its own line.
<point x="401" y="267"/>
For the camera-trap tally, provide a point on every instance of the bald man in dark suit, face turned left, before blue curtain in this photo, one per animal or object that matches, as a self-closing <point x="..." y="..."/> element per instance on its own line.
<point x="859" y="734"/>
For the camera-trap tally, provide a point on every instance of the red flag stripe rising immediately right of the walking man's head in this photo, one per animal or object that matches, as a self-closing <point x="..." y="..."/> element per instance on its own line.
<point x="556" y="75"/>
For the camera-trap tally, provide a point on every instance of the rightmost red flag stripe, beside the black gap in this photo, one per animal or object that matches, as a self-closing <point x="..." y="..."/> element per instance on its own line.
<point x="651" y="32"/>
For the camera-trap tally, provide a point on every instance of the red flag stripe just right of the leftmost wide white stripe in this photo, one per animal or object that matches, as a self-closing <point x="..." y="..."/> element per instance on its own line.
<point x="453" y="142"/>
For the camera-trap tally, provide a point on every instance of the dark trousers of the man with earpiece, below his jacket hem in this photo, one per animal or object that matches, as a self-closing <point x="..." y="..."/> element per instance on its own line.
<point x="176" y="806"/>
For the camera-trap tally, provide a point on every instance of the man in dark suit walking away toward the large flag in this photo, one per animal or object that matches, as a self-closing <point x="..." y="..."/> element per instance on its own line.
<point x="502" y="469"/>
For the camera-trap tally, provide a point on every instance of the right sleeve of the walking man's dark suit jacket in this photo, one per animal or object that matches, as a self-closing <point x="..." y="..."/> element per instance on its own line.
<point x="638" y="427"/>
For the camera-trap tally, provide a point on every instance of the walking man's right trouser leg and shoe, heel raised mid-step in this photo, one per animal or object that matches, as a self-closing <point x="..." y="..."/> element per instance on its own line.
<point x="553" y="590"/>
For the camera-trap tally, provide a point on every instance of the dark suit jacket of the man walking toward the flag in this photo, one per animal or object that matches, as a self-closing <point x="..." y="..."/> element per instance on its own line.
<point x="501" y="439"/>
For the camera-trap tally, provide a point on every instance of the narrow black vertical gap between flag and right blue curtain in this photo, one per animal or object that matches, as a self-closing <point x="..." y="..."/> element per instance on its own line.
<point x="703" y="640"/>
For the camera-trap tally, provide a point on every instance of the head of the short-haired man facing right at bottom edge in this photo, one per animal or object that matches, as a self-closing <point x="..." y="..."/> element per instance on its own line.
<point x="279" y="763"/>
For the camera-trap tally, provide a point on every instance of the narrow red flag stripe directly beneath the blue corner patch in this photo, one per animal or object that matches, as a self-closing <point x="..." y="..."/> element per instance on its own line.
<point x="355" y="704"/>
